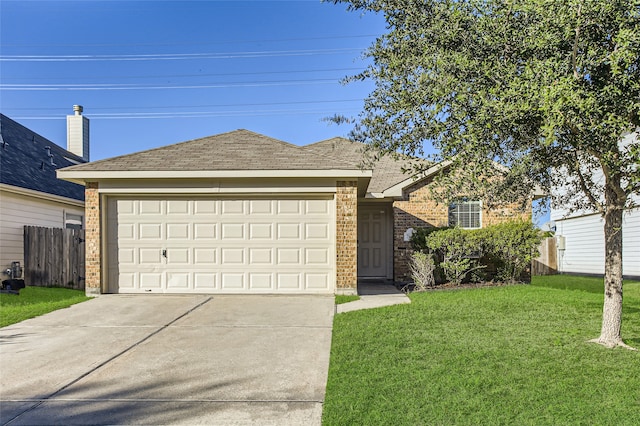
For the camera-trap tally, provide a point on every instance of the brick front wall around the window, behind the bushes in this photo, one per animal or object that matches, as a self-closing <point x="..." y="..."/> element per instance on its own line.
<point x="418" y="210"/>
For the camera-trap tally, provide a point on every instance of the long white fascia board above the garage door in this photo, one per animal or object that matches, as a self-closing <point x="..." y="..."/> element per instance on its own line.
<point x="82" y="176"/>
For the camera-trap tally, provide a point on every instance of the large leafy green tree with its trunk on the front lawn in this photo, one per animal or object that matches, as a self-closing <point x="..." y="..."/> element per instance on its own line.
<point x="547" y="88"/>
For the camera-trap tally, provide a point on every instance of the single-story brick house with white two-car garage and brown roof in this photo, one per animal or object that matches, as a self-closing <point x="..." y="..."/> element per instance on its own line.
<point x="241" y="212"/>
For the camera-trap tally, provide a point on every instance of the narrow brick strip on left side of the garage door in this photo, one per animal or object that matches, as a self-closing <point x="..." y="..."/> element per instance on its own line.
<point x="92" y="240"/>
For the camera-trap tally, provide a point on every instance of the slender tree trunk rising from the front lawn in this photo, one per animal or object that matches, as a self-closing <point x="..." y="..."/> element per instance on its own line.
<point x="610" y="335"/>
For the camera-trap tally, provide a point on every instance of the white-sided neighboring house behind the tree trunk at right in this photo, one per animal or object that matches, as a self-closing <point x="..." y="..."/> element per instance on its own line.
<point x="580" y="238"/>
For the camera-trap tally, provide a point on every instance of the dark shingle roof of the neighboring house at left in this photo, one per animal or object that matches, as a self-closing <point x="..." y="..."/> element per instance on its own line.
<point x="28" y="160"/>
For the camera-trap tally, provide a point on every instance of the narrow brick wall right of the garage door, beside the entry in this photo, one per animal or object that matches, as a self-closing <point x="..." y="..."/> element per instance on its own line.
<point x="347" y="237"/>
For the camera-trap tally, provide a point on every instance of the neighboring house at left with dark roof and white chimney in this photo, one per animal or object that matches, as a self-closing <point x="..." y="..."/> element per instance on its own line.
<point x="30" y="192"/>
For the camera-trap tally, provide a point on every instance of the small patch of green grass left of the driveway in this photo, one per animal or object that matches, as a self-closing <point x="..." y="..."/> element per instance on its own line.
<point x="34" y="301"/>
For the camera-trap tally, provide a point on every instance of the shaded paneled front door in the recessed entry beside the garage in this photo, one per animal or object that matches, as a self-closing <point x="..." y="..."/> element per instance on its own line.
<point x="373" y="241"/>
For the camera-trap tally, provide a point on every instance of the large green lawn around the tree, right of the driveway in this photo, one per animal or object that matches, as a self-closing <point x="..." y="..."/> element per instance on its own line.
<point x="514" y="355"/>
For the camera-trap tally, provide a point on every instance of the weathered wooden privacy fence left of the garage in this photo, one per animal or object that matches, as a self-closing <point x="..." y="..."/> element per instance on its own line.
<point x="54" y="257"/>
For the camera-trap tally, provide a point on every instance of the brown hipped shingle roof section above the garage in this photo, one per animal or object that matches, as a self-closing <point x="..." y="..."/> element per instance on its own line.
<point x="236" y="150"/>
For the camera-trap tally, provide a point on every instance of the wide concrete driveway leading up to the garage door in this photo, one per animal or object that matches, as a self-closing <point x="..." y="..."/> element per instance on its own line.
<point x="169" y="360"/>
